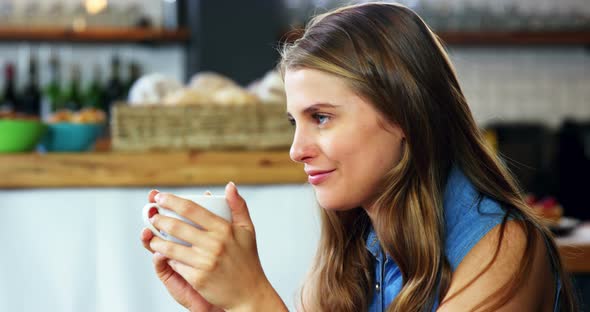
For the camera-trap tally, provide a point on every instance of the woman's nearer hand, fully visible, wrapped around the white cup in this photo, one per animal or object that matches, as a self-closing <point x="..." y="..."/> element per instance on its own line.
<point x="222" y="264"/>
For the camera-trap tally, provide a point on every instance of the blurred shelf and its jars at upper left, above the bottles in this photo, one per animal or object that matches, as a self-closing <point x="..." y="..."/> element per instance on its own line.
<point x="92" y="21"/>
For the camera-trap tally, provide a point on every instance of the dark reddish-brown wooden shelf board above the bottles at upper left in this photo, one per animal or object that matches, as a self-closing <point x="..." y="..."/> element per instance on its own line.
<point x="94" y="35"/>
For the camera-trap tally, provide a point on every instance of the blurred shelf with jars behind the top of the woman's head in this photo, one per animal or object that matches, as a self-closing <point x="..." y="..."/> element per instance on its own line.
<point x="480" y="22"/>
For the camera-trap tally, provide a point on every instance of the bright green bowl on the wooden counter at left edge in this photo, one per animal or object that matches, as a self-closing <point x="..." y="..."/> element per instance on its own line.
<point x="19" y="136"/>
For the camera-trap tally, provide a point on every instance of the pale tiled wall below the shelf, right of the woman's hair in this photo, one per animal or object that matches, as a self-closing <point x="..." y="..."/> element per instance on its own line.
<point x="538" y="84"/>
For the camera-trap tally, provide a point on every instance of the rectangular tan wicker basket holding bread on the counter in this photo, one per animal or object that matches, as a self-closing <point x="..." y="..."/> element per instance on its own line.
<point x="203" y="127"/>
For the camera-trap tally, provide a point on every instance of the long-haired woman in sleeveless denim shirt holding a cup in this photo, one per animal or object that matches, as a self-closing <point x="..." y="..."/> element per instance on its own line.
<point x="418" y="214"/>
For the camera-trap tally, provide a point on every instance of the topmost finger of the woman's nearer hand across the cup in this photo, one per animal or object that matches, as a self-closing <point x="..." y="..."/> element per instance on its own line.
<point x="191" y="211"/>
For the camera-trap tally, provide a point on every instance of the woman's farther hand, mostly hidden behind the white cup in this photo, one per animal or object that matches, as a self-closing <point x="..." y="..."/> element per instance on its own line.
<point x="177" y="286"/>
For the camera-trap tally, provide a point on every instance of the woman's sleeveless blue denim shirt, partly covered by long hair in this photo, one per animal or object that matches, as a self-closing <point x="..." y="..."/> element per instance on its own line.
<point x="465" y="227"/>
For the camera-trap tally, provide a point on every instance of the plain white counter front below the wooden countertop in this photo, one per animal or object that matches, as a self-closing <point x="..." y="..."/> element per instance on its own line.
<point x="79" y="250"/>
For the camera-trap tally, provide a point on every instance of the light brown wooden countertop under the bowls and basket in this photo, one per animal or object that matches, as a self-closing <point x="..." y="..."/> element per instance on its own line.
<point x="110" y="169"/>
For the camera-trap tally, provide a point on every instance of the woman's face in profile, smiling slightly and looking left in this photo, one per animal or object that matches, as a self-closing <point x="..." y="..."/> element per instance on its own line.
<point x="345" y="144"/>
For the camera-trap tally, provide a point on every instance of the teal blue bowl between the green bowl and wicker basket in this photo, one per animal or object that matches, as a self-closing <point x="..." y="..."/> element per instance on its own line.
<point x="71" y="137"/>
